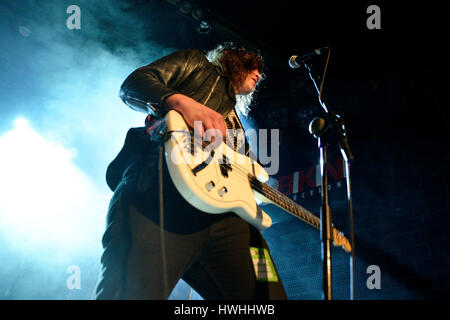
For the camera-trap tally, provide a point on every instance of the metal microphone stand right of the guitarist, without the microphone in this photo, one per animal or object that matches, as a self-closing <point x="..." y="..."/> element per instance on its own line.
<point x="320" y="128"/>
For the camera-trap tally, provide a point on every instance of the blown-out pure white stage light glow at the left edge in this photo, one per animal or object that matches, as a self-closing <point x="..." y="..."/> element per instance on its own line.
<point x="47" y="204"/>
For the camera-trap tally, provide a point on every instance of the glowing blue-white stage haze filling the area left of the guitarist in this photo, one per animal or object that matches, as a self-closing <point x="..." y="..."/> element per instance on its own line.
<point x="61" y="123"/>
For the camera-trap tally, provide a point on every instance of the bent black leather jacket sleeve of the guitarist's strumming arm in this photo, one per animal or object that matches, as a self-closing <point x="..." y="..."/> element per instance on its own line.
<point x="146" y="88"/>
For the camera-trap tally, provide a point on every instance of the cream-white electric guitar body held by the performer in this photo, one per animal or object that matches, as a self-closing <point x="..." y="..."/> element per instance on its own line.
<point x="214" y="180"/>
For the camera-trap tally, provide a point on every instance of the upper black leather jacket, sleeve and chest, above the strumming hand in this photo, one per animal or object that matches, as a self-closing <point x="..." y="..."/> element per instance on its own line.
<point x="187" y="72"/>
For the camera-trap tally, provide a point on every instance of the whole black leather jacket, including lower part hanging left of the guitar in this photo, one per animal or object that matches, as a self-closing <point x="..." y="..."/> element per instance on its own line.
<point x="187" y="72"/>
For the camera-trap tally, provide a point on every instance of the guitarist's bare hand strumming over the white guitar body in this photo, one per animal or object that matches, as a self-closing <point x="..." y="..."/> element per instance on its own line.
<point x="192" y="111"/>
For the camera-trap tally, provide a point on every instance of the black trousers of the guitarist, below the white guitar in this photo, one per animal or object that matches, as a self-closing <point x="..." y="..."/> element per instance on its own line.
<point x="211" y="253"/>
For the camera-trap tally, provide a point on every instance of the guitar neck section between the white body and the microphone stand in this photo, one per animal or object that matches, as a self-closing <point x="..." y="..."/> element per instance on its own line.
<point x="284" y="202"/>
